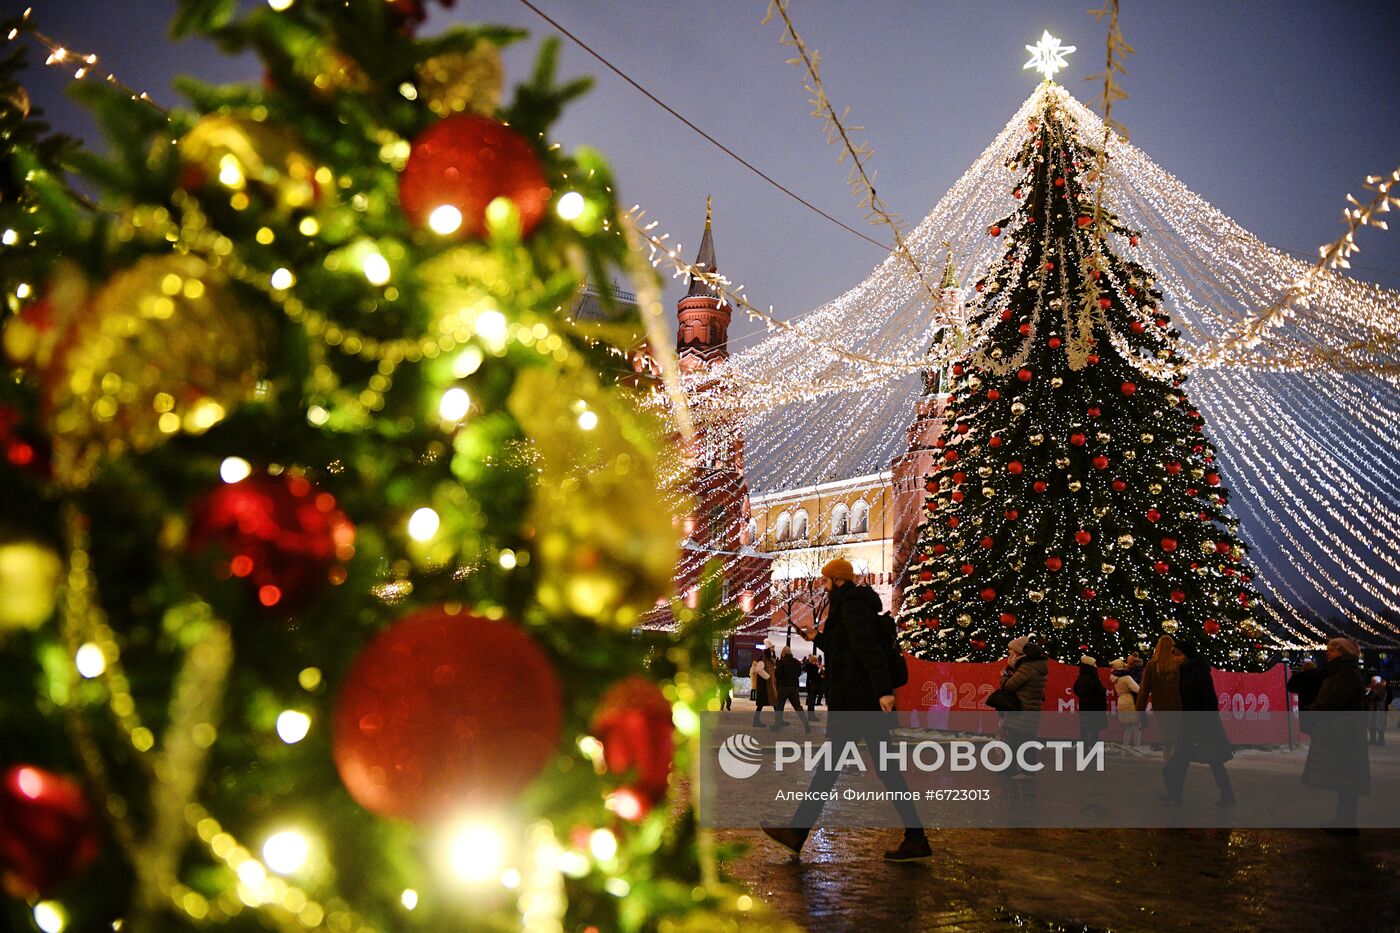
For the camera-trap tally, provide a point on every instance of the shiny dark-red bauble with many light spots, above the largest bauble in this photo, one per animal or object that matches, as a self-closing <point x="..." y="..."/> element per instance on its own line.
<point x="279" y="534"/>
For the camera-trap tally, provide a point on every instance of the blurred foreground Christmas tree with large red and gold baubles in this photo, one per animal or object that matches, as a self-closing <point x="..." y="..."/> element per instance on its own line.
<point x="325" y="529"/>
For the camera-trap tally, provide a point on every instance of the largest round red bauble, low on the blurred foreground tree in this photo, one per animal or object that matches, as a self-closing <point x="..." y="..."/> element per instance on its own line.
<point x="446" y="712"/>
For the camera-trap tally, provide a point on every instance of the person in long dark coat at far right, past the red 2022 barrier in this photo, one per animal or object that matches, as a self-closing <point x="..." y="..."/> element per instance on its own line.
<point x="1338" y="759"/>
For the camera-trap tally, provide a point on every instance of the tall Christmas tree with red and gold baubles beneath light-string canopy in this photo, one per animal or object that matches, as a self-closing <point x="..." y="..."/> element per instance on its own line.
<point x="1077" y="495"/>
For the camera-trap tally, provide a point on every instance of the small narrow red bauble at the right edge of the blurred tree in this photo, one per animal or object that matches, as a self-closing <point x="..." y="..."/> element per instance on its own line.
<point x="633" y="724"/>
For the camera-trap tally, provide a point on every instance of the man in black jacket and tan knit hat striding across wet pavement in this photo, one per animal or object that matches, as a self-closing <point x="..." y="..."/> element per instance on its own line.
<point x="857" y="683"/>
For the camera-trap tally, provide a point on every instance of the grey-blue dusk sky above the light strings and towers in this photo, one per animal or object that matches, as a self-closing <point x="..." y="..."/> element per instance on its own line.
<point x="1272" y="111"/>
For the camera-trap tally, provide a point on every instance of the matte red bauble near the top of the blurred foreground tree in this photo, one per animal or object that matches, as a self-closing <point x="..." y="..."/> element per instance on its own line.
<point x="467" y="162"/>
